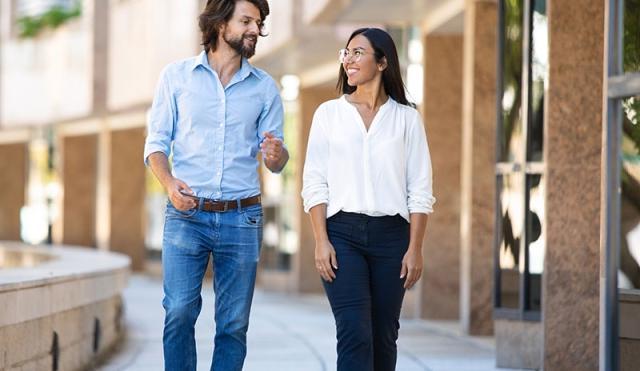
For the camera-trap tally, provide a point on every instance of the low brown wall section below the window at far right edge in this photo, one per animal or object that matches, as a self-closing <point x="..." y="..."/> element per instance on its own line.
<point x="629" y="330"/>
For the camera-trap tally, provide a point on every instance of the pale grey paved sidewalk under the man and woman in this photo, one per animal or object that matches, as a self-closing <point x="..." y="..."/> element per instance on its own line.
<point x="288" y="333"/>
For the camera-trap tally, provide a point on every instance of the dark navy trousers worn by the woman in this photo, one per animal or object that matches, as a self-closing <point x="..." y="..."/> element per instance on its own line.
<point x="367" y="294"/>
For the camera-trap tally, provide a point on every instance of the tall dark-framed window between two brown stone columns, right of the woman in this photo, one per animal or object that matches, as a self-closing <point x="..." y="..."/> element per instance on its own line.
<point x="520" y="243"/>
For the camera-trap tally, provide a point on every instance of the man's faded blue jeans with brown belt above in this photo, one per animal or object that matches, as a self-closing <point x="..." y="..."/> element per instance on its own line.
<point x="233" y="239"/>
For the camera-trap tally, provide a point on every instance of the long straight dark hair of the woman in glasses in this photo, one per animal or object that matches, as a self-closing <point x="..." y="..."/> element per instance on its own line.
<point x="383" y="46"/>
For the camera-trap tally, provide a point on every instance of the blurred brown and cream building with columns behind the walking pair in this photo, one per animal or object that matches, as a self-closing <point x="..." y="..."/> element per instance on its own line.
<point x="531" y="109"/>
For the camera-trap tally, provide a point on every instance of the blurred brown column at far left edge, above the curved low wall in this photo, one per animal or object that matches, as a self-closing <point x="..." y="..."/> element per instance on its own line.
<point x="13" y="183"/>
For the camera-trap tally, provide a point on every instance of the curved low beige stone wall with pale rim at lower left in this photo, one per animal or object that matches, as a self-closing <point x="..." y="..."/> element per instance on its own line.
<point x="60" y="307"/>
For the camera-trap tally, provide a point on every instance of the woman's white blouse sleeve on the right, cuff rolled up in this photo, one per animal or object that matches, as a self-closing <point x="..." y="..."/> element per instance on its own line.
<point x="419" y="178"/>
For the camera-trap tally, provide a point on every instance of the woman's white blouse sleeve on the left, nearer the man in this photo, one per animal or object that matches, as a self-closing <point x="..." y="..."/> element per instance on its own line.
<point x="315" y="190"/>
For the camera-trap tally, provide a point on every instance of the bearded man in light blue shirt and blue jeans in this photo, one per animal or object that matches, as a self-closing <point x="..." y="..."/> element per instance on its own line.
<point x="215" y="112"/>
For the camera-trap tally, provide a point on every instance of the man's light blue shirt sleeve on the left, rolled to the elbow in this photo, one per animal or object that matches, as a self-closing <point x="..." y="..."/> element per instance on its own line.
<point x="161" y="118"/>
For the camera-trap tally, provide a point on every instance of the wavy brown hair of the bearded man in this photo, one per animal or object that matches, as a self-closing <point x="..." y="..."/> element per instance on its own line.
<point x="217" y="13"/>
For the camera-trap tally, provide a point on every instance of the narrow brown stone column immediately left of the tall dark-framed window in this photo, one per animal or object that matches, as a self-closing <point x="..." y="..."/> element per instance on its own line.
<point x="478" y="166"/>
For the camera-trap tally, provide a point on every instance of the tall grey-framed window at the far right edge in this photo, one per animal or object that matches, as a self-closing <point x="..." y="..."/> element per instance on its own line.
<point x="622" y="208"/>
